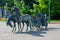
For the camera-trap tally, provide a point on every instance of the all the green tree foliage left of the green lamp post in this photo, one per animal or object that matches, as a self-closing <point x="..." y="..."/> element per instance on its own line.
<point x="41" y="8"/>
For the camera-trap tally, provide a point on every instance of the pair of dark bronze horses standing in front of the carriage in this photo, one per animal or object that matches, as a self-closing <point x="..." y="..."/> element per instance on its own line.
<point x="19" y="19"/>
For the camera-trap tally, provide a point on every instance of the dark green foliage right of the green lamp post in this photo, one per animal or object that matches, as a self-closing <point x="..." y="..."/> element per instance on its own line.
<point x="55" y="7"/>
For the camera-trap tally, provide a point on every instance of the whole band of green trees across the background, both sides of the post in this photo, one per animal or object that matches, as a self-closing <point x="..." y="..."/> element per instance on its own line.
<point x="43" y="6"/>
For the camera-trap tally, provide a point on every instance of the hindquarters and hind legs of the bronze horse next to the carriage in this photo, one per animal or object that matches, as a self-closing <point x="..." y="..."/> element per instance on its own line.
<point x="26" y="18"/>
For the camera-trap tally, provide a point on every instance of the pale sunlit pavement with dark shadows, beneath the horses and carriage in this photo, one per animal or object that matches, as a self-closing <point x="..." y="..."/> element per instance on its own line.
<point x="53" y="33"/>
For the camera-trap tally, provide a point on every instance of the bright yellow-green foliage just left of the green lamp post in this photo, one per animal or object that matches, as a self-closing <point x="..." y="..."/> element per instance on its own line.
<point x="42" y="7"/>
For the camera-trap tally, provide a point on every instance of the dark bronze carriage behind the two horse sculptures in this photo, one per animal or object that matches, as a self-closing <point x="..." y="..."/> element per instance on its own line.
<point x="39" y="21"/>
